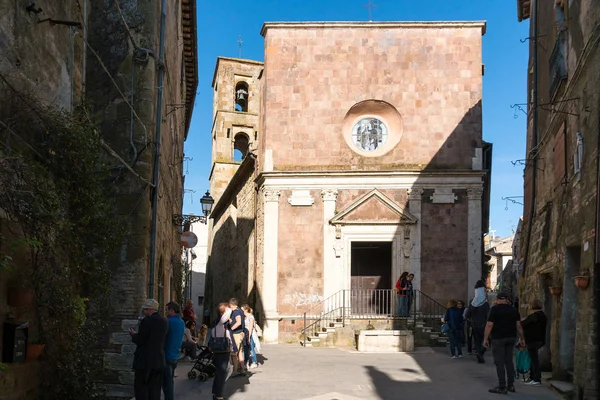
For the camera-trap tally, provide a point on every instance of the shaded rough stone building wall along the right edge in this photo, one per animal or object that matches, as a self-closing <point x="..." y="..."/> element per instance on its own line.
<point x="563" y="230"/>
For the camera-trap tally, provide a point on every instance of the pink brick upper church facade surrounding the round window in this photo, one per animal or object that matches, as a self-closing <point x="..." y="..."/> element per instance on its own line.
<point x="313" y="76"/>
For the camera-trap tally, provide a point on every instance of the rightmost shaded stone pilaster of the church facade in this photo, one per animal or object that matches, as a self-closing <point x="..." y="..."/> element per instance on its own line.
<point x="474" y="239"/>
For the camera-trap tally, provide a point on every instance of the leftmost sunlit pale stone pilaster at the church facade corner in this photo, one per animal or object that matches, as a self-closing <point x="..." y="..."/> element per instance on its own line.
<point x="270" y="277"/>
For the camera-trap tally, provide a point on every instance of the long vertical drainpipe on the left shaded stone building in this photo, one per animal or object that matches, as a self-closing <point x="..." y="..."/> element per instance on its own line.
<point x="161" y="73"/>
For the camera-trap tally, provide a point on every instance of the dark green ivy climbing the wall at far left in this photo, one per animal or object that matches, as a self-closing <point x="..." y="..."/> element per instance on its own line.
<point x="58" y="202"/>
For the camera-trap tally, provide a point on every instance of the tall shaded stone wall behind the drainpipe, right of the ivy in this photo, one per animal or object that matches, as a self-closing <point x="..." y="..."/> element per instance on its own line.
<point x="136" y="75"/>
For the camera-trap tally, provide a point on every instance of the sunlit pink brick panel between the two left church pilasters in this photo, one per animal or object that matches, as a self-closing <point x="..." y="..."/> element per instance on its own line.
<point x="300" y="258"/>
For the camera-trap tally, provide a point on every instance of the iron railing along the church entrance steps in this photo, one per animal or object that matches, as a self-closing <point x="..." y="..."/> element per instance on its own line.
<point x="368" y="304"/>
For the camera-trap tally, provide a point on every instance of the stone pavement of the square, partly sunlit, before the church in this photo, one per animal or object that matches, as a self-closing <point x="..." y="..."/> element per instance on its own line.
<point x="295" y="373"/>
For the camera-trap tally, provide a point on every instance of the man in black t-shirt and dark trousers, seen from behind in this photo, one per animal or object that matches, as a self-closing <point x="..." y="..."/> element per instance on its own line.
<point x="502" y="327"/>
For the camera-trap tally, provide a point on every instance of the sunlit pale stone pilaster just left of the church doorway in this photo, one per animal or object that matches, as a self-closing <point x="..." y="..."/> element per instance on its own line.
<point x="331" y="275"/>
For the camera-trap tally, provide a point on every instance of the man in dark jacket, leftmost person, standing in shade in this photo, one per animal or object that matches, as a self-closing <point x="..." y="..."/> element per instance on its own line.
<point x="149" y="356"/>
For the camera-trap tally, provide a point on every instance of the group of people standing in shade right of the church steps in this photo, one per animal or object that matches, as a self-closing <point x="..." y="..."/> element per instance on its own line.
<point x="500" y="328"/>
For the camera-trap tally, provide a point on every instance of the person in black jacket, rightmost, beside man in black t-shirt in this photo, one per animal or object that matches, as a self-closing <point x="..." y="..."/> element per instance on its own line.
<point x="534" y="327"/>
